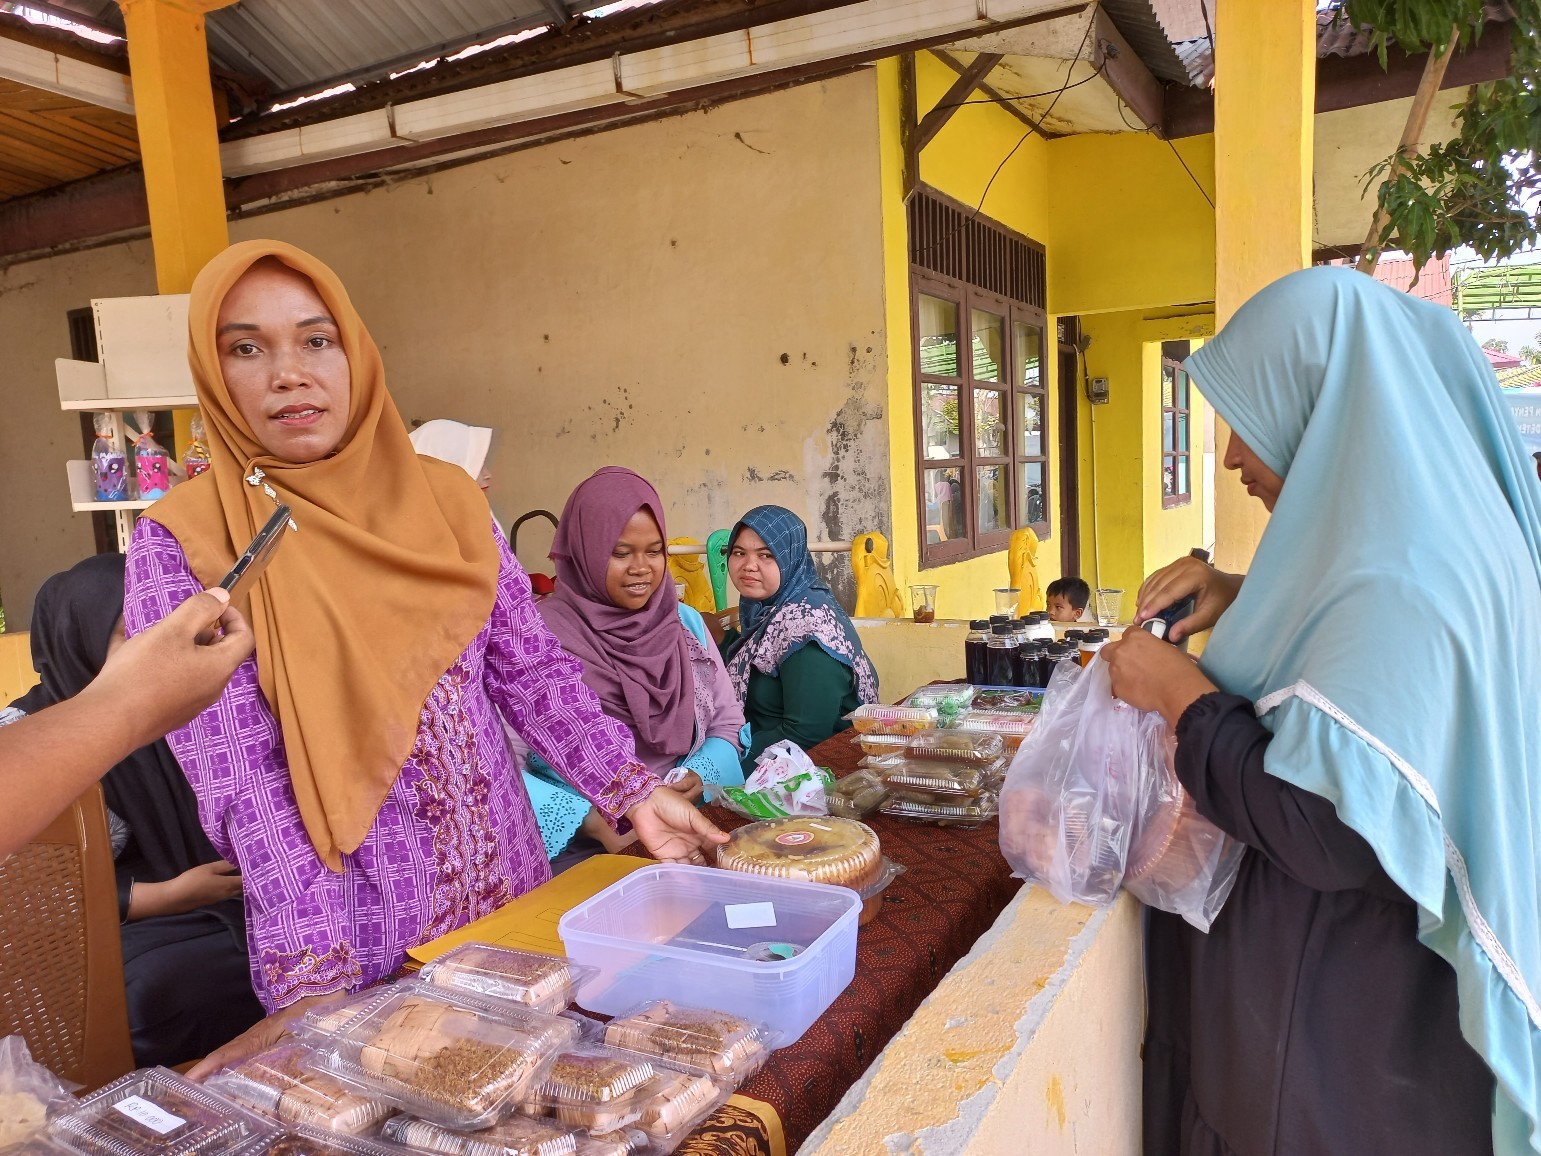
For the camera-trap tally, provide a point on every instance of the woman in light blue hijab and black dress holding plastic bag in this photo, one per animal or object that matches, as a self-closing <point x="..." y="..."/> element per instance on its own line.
<point x="1366" y="721"/>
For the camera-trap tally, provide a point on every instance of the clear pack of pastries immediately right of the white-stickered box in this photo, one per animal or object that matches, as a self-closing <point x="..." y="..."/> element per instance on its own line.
<point x="284" y="1083"/>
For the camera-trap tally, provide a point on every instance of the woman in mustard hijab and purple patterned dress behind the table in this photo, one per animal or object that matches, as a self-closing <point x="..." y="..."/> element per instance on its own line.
<point x="355" y="770"/>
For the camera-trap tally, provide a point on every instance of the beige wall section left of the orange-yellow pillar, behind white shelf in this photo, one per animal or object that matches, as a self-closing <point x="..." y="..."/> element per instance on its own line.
<point x="39" y="534"/>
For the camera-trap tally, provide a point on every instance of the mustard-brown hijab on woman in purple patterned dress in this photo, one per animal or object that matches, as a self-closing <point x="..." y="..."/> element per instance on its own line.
<point x="391" y="576"/>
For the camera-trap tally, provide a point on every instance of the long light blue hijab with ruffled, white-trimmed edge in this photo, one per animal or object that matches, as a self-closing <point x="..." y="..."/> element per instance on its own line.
<point x="1391" y="622"/>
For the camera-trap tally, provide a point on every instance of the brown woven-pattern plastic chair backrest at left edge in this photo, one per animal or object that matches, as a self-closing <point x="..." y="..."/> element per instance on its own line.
<point x="61" y="955"/>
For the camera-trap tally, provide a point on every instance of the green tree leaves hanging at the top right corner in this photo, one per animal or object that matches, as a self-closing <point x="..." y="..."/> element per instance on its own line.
<point x="1483" y="187"/>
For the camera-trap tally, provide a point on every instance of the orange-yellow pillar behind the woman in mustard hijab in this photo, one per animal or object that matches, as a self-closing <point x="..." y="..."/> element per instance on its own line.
<point x="178" y="141"/>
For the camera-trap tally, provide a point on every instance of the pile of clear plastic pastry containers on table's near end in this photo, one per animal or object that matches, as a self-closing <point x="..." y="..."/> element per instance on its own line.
<point x="480" y="1055"/>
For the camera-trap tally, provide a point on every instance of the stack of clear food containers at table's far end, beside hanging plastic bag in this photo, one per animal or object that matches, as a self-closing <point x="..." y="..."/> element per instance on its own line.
<point x="938" y="759"/>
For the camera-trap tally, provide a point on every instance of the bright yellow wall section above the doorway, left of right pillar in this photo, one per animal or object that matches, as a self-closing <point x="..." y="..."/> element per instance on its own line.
<point x="1130" y="229"/>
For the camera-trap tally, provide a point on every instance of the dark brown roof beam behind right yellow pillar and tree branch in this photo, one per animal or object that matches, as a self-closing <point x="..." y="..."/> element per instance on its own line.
<point x="1352" y="82"/>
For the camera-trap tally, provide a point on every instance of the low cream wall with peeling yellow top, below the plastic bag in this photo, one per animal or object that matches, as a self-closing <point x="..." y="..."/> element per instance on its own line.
<point x="1029" y="1046"/>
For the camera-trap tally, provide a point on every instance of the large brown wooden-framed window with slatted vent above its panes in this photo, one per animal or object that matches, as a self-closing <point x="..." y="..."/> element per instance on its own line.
<point x="981" y="388"/>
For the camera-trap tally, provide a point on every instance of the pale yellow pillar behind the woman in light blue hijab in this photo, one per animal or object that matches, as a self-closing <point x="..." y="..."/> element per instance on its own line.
<point x="1264" y="104"/>
